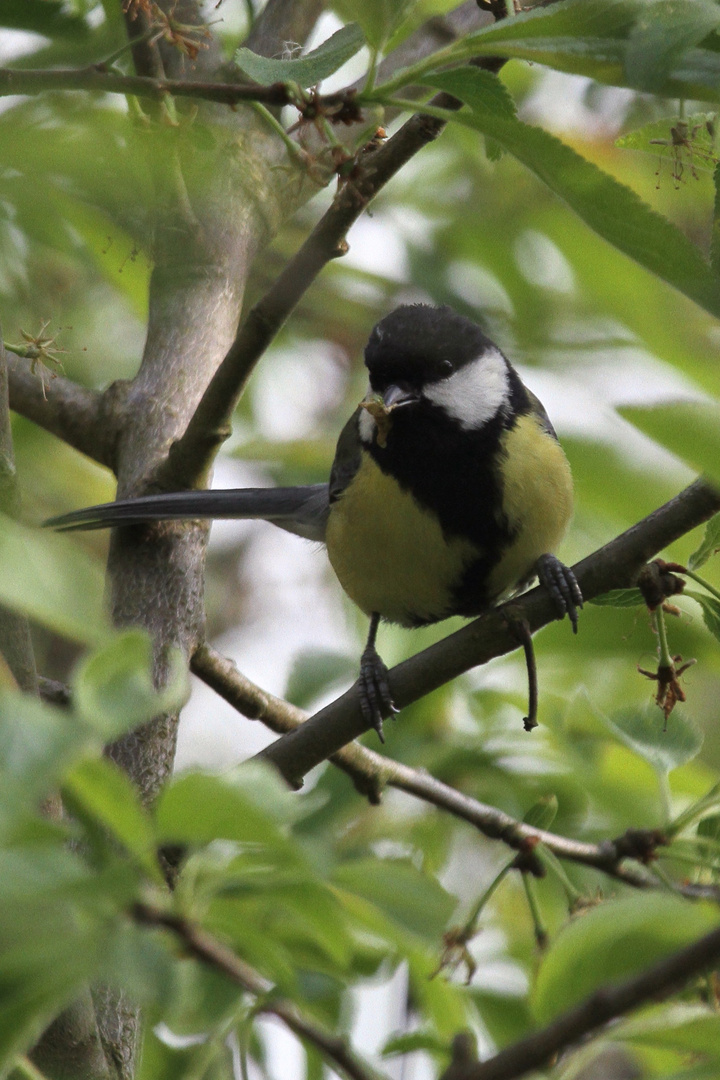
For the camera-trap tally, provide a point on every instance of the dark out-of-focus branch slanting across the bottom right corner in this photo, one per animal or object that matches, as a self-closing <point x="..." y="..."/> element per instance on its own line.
<point x="607" y="1004"/>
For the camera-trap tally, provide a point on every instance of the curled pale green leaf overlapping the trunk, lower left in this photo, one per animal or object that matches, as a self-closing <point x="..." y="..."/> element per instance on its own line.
<point x="114" y="692"/>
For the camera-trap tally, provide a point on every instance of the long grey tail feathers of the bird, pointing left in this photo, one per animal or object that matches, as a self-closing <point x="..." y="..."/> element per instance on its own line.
<point x="300" y="510"/>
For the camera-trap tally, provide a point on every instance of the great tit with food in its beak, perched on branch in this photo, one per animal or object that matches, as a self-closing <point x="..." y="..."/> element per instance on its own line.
<point x="449" y="493"/>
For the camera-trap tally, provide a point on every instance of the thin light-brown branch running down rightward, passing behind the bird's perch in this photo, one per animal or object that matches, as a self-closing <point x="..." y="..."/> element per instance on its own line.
<point x="372" y="773"/>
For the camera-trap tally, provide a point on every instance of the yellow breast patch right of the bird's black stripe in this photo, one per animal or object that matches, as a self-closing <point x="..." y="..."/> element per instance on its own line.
<point x="537" y="502"/>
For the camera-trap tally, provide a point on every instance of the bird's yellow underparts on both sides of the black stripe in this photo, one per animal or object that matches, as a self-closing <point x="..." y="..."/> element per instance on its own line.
<point x="391" y="556"/>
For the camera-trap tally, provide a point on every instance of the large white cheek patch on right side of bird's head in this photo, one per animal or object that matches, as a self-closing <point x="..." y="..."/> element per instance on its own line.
<point x="476" y="394"/>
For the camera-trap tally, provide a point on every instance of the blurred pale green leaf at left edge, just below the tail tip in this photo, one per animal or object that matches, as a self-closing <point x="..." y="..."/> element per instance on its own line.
<point x="53" y="582"/>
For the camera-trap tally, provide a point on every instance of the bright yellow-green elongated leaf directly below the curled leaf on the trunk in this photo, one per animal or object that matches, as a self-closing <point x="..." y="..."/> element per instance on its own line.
<point x="105" y="793"/>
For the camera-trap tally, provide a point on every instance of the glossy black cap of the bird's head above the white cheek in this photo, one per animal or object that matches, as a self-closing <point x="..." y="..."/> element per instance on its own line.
<point x="417" y="345"/>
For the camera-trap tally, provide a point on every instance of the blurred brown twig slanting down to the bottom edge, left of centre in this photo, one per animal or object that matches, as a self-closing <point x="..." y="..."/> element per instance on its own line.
<point x="212" y="952"/>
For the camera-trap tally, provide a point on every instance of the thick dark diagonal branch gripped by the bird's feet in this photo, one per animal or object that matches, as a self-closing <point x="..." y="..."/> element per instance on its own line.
<point x="614" y="566"/>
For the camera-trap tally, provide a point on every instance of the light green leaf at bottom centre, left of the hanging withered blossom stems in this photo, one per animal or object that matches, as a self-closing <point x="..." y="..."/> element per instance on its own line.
<point x="410" y="898"/>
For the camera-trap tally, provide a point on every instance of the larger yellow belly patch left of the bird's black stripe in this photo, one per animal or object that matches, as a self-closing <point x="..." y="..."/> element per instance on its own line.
<point x="390" y="555"/>
